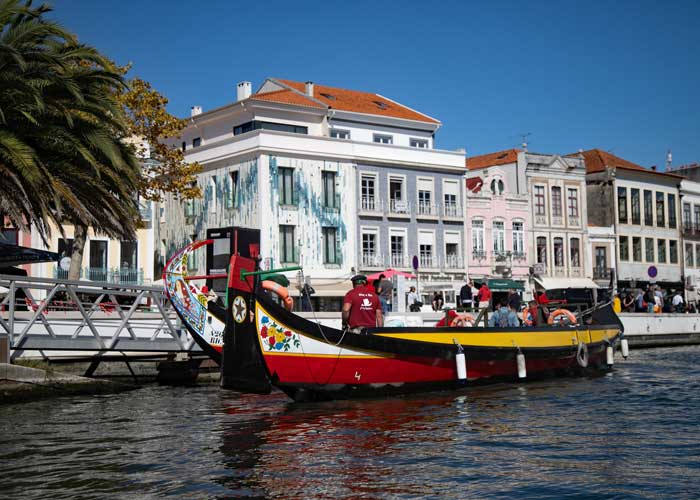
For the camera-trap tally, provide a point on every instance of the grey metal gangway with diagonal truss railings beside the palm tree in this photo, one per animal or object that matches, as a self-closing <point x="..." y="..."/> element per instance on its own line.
<point x="85" y="318"/>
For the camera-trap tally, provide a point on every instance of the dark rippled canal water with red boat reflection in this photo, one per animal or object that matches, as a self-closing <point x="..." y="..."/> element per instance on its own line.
<point x="634" y="433"/>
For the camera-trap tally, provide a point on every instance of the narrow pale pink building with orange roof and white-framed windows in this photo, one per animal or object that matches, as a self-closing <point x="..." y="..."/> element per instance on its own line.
<point x="498" y="220"/>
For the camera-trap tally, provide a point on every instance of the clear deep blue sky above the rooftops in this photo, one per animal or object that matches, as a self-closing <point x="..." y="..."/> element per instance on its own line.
<point x="621" y="76"/>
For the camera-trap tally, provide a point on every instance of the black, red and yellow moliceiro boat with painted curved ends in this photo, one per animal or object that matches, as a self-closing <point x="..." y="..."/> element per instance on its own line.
<point x="266" y="346"/>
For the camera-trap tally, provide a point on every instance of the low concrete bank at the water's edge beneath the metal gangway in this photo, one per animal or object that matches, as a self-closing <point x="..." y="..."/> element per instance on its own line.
<point x="22" y="383"/>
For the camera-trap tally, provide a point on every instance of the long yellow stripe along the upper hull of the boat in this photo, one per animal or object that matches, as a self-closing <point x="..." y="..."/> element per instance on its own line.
<point x="521" y="338"/>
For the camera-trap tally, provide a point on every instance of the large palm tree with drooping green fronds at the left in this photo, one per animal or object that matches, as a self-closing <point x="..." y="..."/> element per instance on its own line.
<point x="61" y="130"/>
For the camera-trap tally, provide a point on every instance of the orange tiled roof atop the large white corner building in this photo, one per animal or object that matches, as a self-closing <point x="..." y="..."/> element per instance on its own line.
<point x="359" y="102"/>
